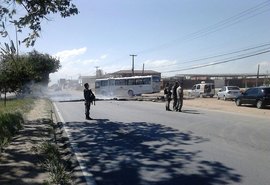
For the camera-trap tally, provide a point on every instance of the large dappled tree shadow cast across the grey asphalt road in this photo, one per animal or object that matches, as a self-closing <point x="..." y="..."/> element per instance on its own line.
<point x="142" y="153"/>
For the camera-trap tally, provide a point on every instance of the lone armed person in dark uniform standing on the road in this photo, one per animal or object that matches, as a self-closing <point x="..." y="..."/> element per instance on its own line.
<point x="89" y="97"/>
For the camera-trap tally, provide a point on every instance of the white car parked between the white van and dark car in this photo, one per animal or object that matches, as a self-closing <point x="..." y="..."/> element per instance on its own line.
<point x="228" y="92"/>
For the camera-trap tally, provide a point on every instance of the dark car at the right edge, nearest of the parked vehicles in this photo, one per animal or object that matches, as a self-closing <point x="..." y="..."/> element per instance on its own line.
<point x="257" y="96"/>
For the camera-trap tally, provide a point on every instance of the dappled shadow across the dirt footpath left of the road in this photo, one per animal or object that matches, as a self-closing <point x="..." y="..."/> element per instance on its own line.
<point x="20" y="165"/>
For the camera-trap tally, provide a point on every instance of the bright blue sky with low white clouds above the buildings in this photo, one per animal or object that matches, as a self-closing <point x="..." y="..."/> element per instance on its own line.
<point x="167" y="36"/>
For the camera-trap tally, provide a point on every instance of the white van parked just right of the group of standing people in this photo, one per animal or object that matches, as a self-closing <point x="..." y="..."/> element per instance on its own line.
<point x="203" y="90"/>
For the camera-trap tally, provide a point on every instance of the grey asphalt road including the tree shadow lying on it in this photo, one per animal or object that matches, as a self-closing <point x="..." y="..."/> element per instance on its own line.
<point x="139" y="143"/>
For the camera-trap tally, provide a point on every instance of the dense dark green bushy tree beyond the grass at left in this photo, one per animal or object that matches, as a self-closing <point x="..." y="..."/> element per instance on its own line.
<point x="31" y="67"/>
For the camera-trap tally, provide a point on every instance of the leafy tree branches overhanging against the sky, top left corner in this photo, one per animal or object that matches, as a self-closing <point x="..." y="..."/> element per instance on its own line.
<point x="35" y="11"/>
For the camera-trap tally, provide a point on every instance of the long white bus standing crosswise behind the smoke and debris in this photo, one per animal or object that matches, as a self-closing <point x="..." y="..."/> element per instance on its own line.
<point x="127" y="86"/>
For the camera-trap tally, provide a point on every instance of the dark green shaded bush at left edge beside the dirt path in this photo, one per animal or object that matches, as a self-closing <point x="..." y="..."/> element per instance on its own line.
<point x="10" y="124"/>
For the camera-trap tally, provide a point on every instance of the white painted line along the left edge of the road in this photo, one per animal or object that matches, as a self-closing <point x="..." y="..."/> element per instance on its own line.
<point x="88" y="176"/>
